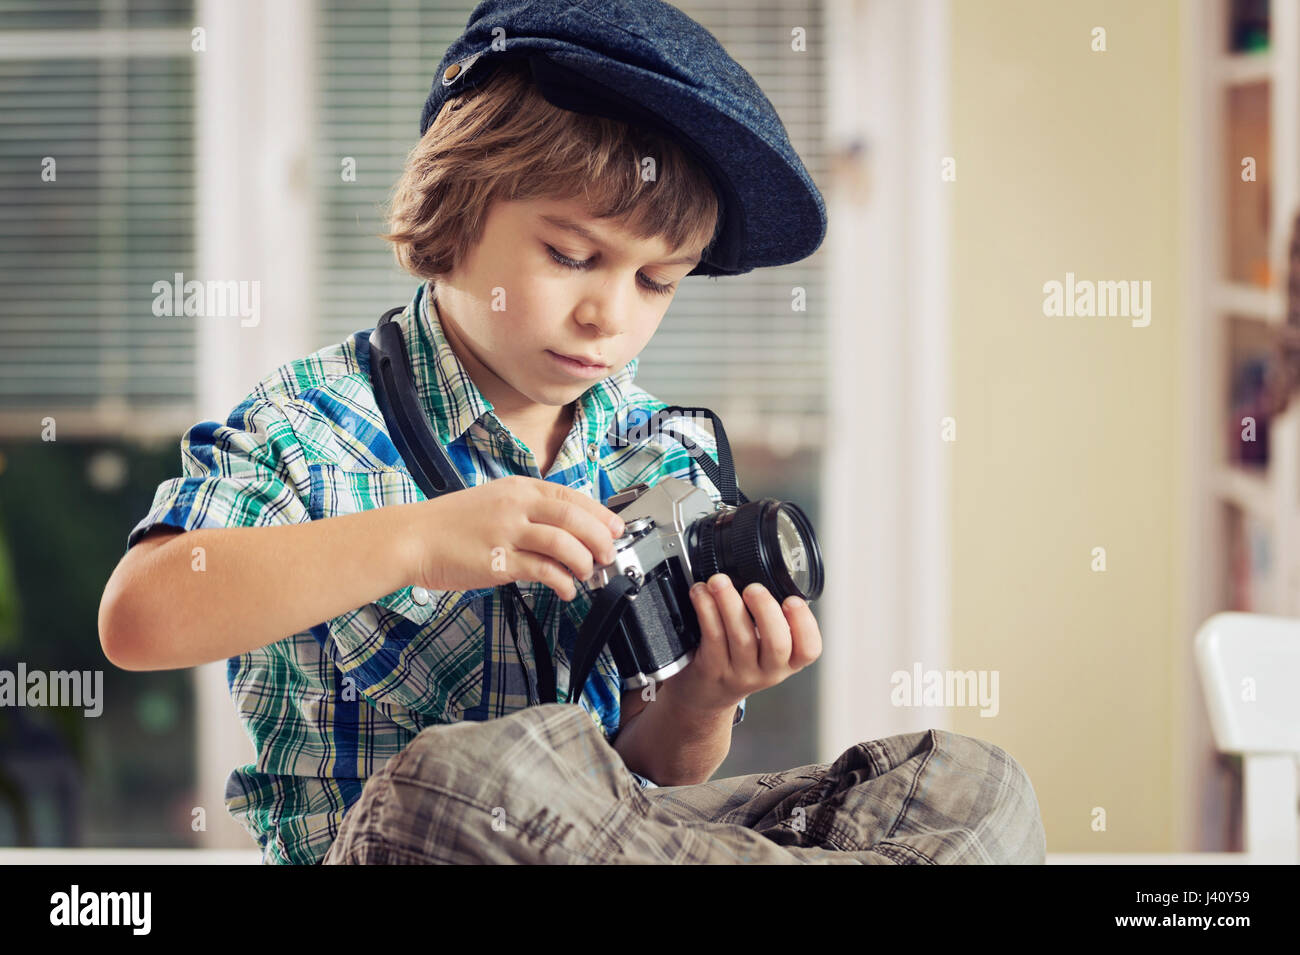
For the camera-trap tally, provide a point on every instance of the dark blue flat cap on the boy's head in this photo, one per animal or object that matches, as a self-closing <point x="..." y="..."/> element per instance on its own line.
<point x="645" y="62"/>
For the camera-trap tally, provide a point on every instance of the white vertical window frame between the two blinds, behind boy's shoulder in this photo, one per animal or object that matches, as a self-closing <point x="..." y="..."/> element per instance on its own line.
<point x="255" y="114"/>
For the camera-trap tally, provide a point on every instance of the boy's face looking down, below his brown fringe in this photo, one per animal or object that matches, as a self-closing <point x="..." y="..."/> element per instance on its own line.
<point x="515" y="309"/>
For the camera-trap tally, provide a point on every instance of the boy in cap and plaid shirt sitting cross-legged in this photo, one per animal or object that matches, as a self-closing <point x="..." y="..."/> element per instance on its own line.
<point x="401" y="730"/>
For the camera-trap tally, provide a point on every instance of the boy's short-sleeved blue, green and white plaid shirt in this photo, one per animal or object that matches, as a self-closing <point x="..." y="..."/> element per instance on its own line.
<point x="330" y="706"/>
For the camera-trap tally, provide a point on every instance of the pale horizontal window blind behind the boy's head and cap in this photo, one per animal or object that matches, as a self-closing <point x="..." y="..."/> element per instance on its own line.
<point x="734" y="345"/>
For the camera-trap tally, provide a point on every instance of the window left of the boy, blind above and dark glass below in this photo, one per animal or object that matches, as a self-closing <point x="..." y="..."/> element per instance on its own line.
<point x="97" y="172"/>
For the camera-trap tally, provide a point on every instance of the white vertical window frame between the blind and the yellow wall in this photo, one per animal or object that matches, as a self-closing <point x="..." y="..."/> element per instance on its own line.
<point x="886" y="471"/>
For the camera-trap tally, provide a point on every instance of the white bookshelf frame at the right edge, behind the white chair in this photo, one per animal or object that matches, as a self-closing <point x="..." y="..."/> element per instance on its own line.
<point x="1268" y="500"/>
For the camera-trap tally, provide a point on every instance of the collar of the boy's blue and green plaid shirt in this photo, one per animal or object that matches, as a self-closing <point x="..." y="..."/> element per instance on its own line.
<point x="452" y="401"/>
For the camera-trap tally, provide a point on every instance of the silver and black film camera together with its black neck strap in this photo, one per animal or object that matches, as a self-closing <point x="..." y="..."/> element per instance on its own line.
<point x="675" y="536"/>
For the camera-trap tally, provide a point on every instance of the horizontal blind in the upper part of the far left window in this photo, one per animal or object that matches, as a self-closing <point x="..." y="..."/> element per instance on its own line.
<point x="97" y="196"/>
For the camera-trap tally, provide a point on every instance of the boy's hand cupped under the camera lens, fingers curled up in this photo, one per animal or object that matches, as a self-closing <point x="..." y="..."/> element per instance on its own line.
<point x="748" y="643"/>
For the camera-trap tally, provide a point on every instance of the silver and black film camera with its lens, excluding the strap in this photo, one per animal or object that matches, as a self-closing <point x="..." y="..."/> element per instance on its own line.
<point x="677" y="536"/>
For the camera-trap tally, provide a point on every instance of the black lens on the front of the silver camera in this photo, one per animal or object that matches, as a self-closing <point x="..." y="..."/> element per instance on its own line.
<point x="770" y="542"/>
